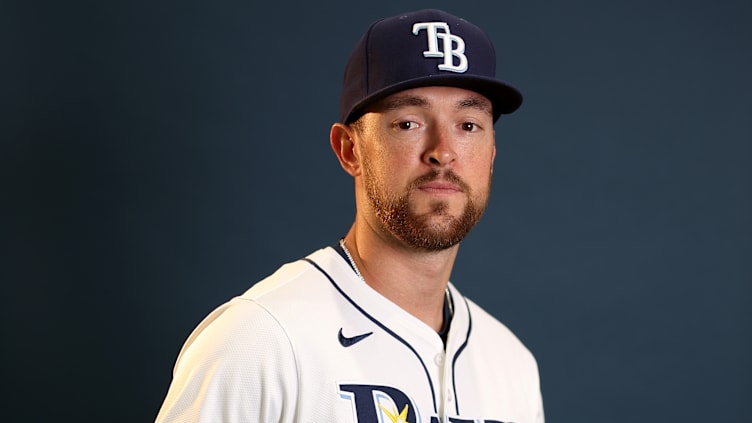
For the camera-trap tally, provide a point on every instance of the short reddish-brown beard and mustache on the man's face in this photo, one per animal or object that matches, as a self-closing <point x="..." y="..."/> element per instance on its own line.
<point x="432" y="231"/>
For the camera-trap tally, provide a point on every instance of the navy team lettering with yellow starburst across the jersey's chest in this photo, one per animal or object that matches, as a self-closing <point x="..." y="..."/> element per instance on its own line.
<point x="384" y="404"/>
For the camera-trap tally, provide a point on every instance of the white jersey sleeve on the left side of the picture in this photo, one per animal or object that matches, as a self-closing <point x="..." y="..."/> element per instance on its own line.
<point x="238" y="365"/>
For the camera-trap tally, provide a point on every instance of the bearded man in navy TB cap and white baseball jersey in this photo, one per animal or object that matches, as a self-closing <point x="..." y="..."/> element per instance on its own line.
<point x="370" y="329"/>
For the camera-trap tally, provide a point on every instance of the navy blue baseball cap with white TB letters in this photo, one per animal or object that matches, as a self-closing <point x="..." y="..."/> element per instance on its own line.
<point x="428" y="47"/>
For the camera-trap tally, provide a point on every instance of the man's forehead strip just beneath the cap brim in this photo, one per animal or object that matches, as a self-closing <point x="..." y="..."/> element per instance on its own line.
<point x="429" y="97"/>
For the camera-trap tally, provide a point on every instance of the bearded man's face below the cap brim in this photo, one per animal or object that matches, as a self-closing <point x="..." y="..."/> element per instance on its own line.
<point x="427" y="156"/>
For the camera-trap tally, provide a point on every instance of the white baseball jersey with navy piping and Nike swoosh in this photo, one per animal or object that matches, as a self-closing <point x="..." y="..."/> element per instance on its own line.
<point x="313" y="343"/>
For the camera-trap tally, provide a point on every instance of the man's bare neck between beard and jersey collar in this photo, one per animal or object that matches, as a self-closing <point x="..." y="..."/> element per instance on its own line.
<point x="414" y="280"/>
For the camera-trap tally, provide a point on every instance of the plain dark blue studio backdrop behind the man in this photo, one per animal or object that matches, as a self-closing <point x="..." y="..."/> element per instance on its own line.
<point x="158" y="158"/>
